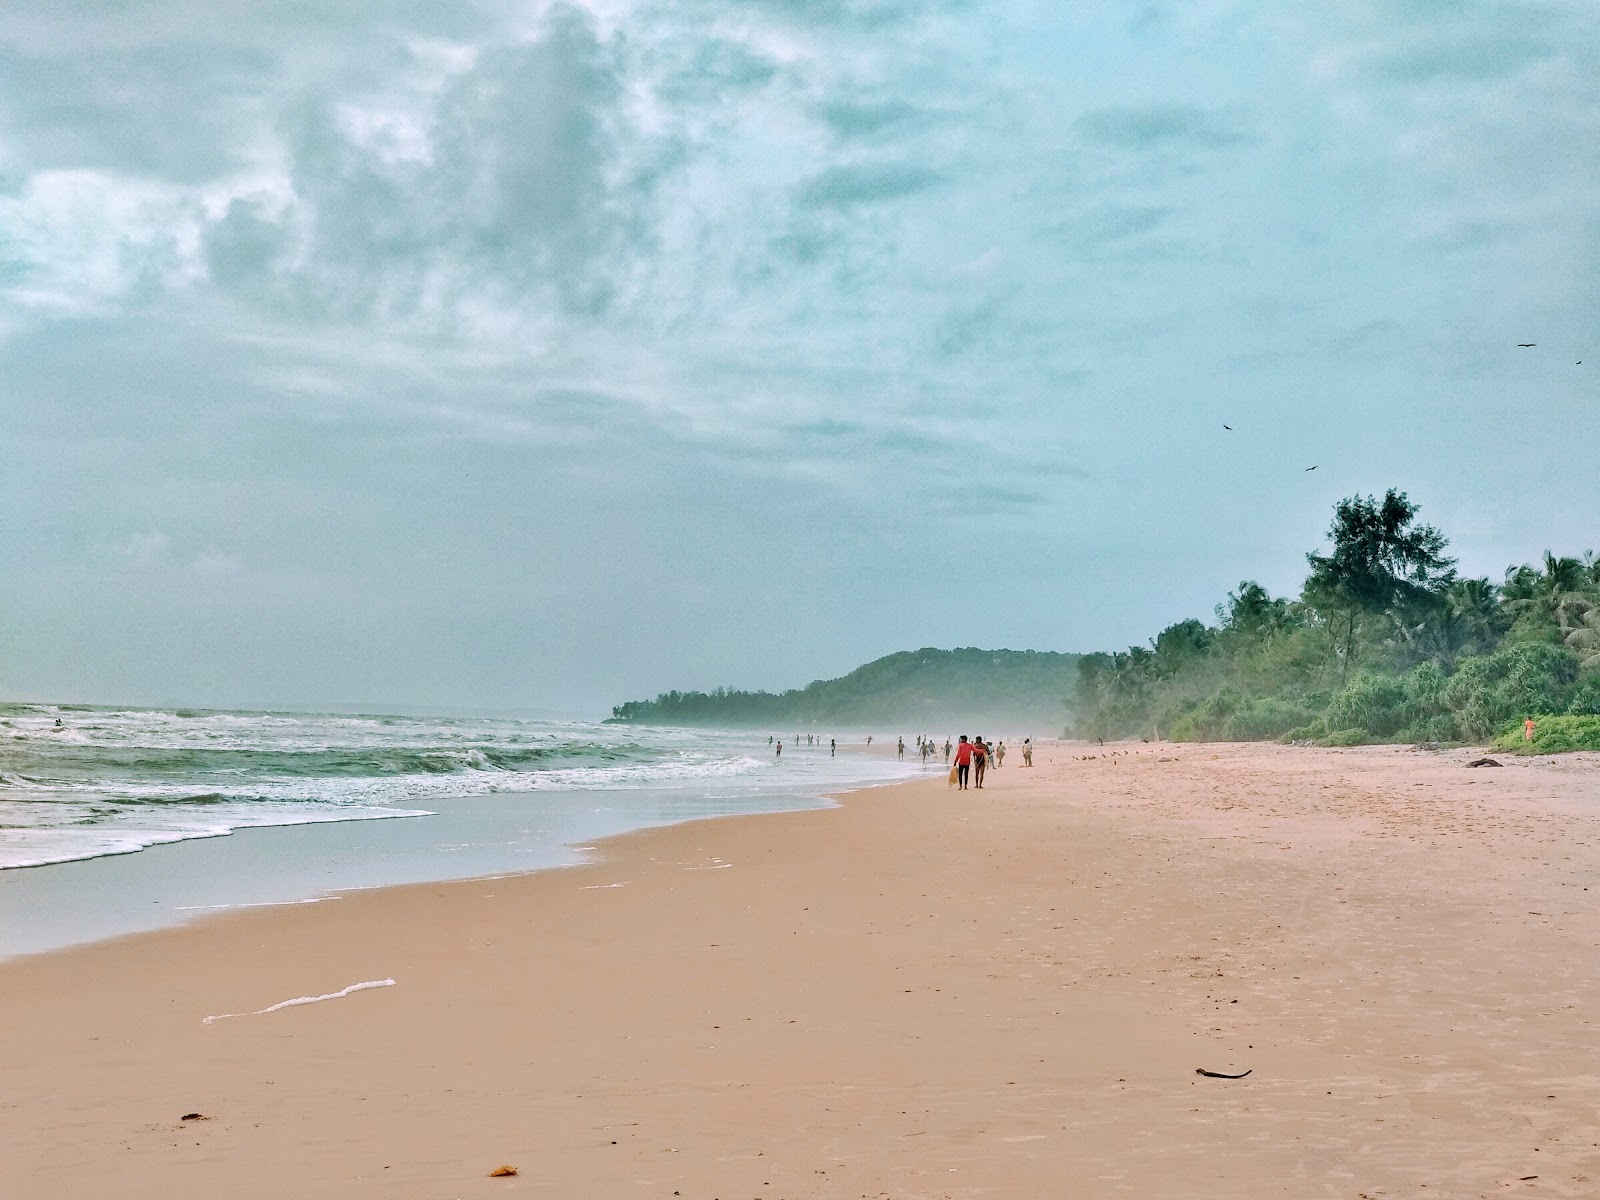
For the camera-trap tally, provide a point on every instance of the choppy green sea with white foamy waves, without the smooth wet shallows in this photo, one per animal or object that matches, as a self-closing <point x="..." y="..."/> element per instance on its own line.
<point x="114" y="782"/>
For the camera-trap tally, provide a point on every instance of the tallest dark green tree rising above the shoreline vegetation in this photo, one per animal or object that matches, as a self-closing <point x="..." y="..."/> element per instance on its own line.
<point x="1380" y="564"/>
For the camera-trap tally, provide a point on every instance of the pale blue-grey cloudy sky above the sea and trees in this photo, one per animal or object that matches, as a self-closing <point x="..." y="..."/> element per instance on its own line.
<point x="538" y="356"/>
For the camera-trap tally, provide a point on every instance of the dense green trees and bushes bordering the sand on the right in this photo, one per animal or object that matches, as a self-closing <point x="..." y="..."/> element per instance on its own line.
<point x="1386" y="642"/>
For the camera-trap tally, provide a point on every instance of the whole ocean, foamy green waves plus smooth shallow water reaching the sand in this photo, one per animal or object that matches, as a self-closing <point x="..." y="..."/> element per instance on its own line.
<point x="116" y="820"/>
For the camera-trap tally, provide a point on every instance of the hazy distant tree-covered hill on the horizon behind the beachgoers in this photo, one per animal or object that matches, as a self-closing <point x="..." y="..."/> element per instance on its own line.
<point x="934" y="692"/>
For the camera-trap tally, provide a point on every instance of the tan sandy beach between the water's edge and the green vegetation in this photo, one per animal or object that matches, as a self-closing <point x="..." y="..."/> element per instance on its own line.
<point x="919" y="994"/>
